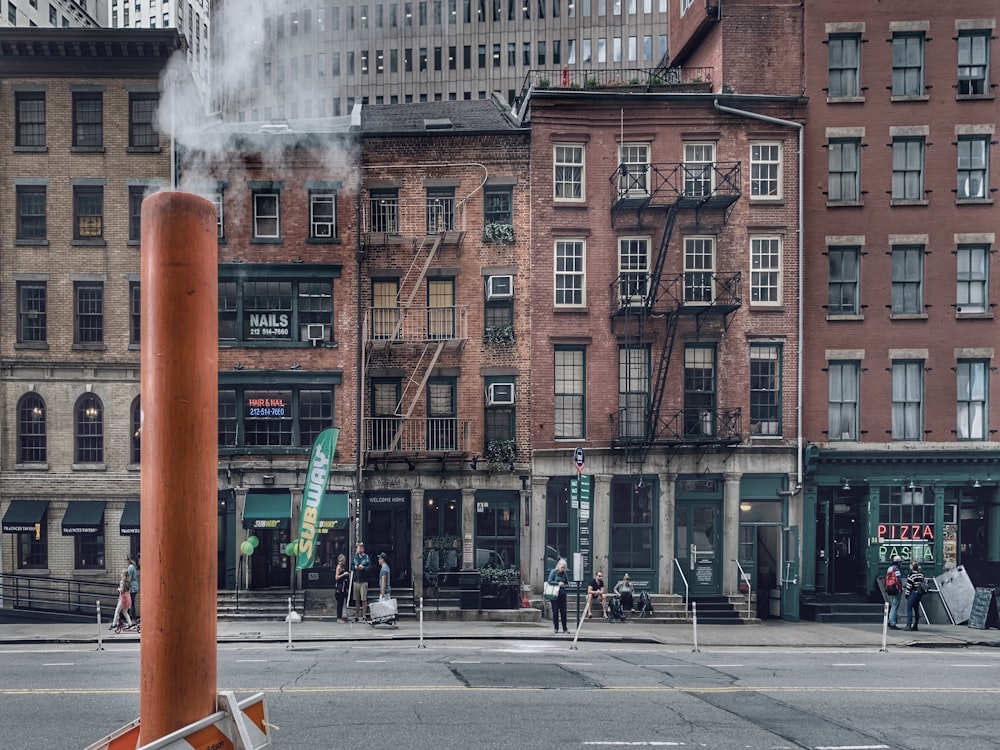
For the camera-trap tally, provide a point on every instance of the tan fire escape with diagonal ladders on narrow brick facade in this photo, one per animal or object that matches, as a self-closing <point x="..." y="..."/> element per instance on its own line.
<point x="411" y="330"/>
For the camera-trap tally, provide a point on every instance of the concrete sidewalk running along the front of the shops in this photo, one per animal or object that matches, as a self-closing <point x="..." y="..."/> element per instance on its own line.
<point x="769" y="633"/>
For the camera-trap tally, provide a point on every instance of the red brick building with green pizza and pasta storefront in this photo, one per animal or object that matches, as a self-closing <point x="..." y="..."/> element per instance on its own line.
<point x="900" y="293"/>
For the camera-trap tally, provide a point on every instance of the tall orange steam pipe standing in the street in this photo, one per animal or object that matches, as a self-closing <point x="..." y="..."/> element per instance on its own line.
<point x="179" y="382"/>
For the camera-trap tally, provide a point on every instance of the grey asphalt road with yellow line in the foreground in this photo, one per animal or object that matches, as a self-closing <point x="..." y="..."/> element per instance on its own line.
<point x="537" y="694"/>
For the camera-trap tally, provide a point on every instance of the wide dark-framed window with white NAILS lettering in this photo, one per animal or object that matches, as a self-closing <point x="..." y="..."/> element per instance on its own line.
<point x="277" y="311"/>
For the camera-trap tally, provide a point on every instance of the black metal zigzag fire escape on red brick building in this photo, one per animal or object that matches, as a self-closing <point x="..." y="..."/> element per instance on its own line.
<point x="648" y="304"/>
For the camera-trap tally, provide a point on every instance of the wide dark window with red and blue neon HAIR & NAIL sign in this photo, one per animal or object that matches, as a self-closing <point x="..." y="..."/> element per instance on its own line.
<point x="284" y="415"/>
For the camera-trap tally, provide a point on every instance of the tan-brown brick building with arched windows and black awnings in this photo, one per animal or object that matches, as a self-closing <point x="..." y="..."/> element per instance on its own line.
<point x="80" y="151"/>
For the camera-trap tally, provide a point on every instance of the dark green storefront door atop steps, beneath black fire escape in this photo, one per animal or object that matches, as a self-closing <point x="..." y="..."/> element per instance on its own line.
<point x="698" y="545"/>
